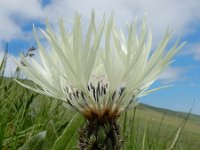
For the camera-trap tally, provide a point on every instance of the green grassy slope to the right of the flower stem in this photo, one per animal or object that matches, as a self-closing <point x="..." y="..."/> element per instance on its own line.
<point x="160" y="126"/>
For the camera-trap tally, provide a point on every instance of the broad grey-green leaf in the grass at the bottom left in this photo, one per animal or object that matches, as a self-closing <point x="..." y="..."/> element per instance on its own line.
<point x="37" y="142"/>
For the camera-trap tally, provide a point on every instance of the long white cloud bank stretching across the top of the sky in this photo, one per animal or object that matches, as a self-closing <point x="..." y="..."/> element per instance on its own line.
<point x="179" y="15"/>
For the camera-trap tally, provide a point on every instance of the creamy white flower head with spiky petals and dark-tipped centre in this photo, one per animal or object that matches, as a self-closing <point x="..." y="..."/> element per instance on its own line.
<point x="99" y="79"/>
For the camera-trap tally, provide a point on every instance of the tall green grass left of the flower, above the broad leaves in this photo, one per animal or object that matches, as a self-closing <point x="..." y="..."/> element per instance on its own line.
<point x="24" y="113"/>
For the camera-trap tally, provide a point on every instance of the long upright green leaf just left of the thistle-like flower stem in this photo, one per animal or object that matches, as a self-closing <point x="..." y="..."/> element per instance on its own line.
<point x="69" y="136"/>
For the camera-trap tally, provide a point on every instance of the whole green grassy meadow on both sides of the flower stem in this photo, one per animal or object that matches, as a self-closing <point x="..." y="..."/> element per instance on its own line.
<point x="30" y="121"/>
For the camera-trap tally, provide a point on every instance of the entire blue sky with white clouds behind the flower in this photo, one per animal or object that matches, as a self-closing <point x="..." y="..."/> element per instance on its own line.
<point x="183" y="17"/>
